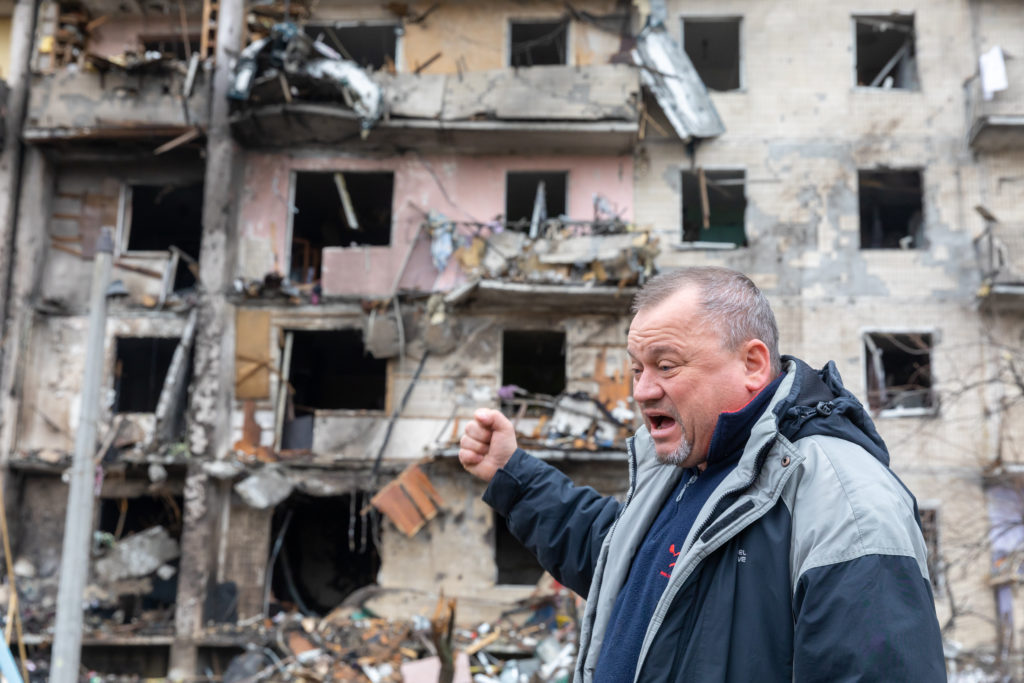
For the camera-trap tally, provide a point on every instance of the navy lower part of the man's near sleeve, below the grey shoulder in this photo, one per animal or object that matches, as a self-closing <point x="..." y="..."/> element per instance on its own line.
<point x="870" y="619"/>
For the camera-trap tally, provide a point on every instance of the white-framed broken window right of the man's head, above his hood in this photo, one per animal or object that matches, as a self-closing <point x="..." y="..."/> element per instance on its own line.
<point x="900" y="372"/>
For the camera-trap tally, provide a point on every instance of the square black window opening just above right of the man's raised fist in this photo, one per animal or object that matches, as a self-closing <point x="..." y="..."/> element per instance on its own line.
<point x="534" y="361"/>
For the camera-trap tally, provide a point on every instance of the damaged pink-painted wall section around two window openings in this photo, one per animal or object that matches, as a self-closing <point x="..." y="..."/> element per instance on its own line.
<point x="461" y="188"/>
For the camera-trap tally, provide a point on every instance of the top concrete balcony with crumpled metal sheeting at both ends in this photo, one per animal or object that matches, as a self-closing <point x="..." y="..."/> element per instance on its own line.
<point x="293" y="88"/>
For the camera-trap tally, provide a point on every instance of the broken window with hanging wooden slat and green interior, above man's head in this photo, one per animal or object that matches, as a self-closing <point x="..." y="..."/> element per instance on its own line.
<point x="715" y="207"/>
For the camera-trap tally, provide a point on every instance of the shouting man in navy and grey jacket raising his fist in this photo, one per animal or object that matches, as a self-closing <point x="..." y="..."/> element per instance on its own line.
<point x="763" y="537"/>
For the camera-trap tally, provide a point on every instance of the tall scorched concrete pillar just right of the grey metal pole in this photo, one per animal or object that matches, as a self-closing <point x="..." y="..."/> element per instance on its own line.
<point x="212" y="386"/>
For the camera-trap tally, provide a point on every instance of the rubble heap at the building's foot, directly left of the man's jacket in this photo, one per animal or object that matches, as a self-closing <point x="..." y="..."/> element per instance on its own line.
<point x="534" y="642"/>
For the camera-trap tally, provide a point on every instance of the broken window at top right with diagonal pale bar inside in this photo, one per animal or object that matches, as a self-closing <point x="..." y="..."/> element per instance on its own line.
<point x="885" y="53"/>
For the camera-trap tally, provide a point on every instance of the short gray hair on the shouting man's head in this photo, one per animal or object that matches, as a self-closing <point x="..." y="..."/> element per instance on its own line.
<point x="731" y="303"/>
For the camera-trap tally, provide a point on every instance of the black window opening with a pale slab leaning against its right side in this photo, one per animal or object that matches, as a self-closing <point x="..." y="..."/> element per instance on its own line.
<point x="141" y="369"/>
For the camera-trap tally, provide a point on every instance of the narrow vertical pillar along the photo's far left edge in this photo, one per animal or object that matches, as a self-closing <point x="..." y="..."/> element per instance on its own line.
<point x="23" y="32"/>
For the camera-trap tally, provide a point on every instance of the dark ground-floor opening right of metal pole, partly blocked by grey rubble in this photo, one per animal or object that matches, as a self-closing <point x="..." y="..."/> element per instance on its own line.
<point x="126" y="517"/>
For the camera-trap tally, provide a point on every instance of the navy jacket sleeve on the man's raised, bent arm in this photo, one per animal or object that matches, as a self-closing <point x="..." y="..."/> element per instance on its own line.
<point x="562" y="524"/>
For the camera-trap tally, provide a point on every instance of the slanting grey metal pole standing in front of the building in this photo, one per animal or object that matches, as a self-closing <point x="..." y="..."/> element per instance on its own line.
<point x="78" y="522"/>
